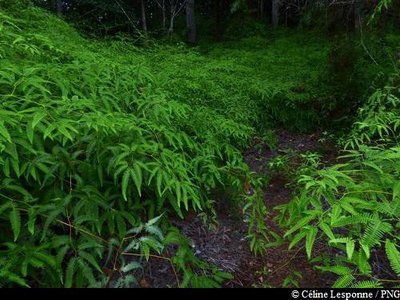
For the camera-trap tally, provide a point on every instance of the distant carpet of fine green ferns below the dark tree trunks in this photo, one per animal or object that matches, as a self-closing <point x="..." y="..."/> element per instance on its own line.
<point x="256" y="81"/>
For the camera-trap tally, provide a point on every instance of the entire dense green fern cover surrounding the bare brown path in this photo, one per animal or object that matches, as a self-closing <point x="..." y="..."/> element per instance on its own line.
<point x="103" y="142"/>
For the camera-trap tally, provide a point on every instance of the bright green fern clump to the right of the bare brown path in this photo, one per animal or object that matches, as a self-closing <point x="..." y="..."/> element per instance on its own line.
<point x="351" y="209"/>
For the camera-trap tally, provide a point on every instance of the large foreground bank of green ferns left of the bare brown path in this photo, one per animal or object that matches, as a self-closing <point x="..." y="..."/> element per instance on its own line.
<point x="96" y="158"/>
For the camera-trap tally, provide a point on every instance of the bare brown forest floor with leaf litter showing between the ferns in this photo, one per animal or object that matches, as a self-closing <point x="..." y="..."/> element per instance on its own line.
<point x="226" y="246"/>
